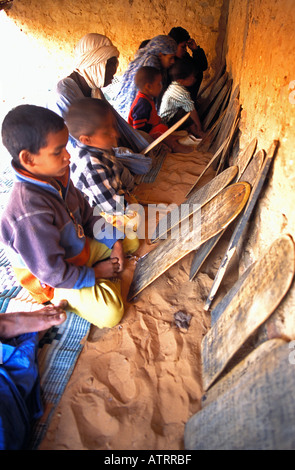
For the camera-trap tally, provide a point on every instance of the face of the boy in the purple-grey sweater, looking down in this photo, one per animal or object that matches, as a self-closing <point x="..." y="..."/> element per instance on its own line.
<point x="52" y="160"/>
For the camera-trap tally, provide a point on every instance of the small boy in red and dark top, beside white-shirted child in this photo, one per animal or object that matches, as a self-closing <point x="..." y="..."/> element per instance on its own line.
<point x="143" y="115"/>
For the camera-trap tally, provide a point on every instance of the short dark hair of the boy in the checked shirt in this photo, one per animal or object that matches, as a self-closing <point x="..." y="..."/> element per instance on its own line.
<point x="86" y="115"/>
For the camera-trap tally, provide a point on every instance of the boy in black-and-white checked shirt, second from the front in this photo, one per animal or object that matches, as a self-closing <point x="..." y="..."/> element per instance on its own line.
<point x="96" y="171"/>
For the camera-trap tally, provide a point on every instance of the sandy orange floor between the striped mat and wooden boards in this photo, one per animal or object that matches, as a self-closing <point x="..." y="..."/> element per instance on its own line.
<point x="135" y="386"/>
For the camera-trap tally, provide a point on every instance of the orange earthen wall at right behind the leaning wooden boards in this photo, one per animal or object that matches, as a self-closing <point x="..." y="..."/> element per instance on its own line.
<point x="259" y="53"/>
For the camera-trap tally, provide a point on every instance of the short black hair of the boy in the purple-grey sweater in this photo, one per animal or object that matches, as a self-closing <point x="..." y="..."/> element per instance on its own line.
<point x="26" y="127"/>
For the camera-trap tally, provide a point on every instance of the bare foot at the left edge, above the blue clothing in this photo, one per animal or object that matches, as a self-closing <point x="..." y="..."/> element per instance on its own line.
<point x="15" y="324"/>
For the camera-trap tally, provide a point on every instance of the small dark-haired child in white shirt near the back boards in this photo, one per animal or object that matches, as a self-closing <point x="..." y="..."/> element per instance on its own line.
<point x="177" y="102"/>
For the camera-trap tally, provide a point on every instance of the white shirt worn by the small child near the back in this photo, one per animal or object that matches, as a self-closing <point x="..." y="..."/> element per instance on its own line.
<point x="175" y="97"/>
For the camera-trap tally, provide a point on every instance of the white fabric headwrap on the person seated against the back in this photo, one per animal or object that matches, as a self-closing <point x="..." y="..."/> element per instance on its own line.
<point x="91" y="55"/>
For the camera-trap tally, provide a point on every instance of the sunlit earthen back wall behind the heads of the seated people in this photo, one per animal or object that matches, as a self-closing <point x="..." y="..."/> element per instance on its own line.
<point x="39" y="37"/>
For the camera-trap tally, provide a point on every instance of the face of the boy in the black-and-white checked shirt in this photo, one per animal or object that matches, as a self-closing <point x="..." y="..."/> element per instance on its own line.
<point x="106" y="136"/>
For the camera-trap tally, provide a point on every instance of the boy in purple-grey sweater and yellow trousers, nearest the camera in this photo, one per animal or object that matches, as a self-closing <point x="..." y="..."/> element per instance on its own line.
<point x="57" y="247"/>
